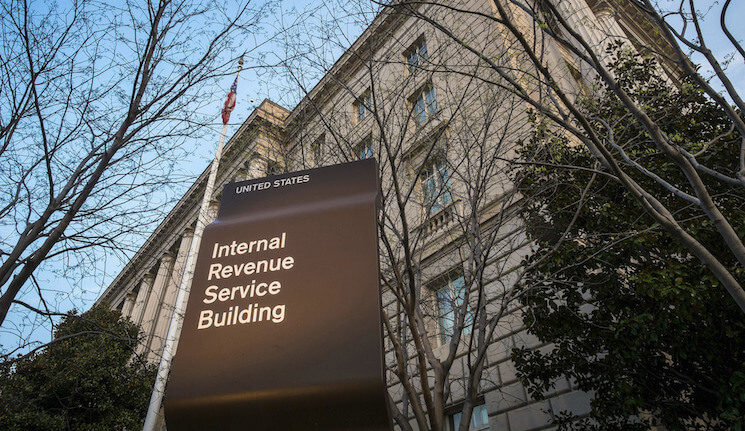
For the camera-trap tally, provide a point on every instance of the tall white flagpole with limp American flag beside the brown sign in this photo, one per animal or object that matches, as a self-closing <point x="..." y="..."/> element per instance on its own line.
<point x="174" y="329"/>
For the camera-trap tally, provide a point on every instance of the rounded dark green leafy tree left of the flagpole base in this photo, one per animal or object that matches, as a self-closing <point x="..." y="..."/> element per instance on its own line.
<point x="86" y="380"/>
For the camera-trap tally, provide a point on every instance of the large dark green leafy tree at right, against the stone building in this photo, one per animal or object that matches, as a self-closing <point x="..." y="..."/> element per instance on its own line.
<point x="629" y="313"/>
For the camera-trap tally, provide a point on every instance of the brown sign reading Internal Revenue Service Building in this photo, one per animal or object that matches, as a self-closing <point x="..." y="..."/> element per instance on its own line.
<point x="283" y="326"/>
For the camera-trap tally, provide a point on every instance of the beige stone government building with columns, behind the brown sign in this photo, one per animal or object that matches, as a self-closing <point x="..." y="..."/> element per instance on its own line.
<point x="418" y="91"/>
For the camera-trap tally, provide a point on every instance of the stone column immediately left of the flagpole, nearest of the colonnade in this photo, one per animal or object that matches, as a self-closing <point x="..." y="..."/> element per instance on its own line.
<point x="169" y="298"/>
